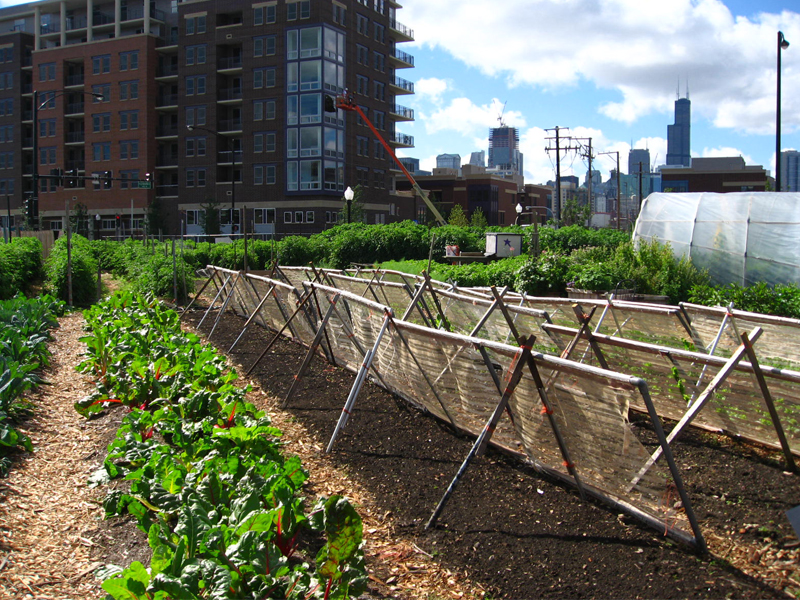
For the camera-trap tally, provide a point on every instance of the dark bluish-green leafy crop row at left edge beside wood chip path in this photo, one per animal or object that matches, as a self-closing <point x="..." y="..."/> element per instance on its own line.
<point x="24" y="334"/>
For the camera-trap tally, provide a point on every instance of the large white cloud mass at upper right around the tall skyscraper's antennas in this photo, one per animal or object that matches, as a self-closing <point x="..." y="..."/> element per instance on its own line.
<point x="637" y="49"/>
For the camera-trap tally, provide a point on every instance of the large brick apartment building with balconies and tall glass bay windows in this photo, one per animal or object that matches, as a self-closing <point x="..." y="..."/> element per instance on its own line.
<point x="177" y="104"/>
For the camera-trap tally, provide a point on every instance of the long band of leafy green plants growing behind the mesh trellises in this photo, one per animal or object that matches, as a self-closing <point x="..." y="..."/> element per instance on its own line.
<point x="552" y="260"/>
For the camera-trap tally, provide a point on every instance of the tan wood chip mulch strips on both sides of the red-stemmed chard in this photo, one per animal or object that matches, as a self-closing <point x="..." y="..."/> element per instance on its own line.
<point x="48" y="514"/>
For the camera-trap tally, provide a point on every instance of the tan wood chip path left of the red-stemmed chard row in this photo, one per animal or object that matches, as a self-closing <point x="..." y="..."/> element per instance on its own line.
<point x="46" y="510"/>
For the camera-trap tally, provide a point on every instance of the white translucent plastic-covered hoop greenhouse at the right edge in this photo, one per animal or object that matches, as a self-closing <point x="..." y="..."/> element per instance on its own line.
<point x="740" y="237"/>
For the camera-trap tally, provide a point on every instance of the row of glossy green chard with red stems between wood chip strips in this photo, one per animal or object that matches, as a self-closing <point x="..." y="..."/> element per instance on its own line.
<point x="207" y="479"/>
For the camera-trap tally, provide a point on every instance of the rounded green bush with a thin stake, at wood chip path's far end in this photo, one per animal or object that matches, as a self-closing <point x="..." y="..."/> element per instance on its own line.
<point x="84" y="271"/>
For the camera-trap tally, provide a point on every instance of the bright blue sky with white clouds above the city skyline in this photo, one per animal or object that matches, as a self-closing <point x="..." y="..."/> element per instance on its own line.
<point x="605" y="69"/>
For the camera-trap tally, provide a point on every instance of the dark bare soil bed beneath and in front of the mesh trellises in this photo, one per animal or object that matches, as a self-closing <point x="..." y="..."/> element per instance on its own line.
<point x="518" y="535"/>
